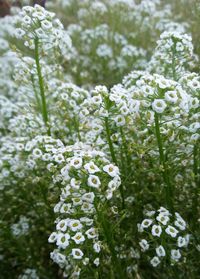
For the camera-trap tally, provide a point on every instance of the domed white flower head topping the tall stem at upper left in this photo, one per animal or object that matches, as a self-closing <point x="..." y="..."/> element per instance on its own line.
<point x="36" y="25"/>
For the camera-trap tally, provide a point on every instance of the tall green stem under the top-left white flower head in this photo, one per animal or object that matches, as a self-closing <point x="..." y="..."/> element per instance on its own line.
<point x="41" y="86"/>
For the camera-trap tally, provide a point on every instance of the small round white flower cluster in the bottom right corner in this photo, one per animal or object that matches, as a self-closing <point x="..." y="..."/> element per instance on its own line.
<point x="165" y="234"/>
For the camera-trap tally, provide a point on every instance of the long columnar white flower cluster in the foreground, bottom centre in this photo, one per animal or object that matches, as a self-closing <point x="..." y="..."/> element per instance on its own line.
<point x="90" y="179"/>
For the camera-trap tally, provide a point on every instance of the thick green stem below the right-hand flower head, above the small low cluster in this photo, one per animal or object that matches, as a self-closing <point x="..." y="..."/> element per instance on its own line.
<point x="168" y="186"/>
